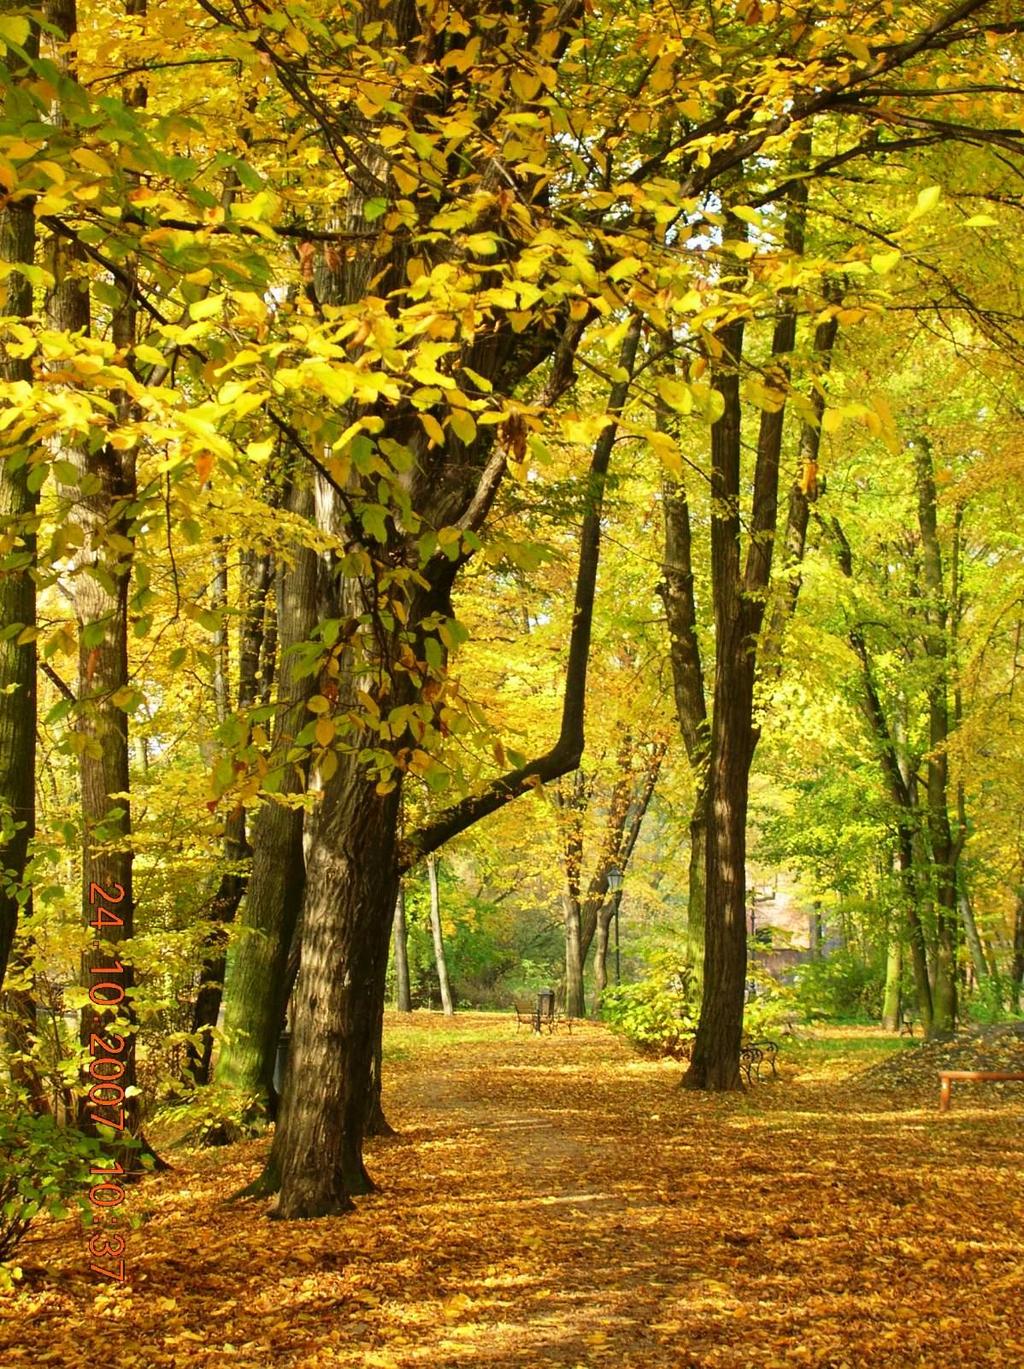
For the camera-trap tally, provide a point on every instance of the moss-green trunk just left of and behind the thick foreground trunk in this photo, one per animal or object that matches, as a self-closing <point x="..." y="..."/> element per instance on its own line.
<point x="257" y="985"/>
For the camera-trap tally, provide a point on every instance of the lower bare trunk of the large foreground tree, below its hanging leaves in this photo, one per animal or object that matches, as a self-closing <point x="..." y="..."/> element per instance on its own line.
<point x="347" y="919"/>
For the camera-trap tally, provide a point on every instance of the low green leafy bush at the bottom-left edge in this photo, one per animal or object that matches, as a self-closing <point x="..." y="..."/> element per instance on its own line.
<point x="44" y="1168"/>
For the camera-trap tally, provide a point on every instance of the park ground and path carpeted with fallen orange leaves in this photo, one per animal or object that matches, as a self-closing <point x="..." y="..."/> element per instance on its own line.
<point x="556" y="1201"/>
